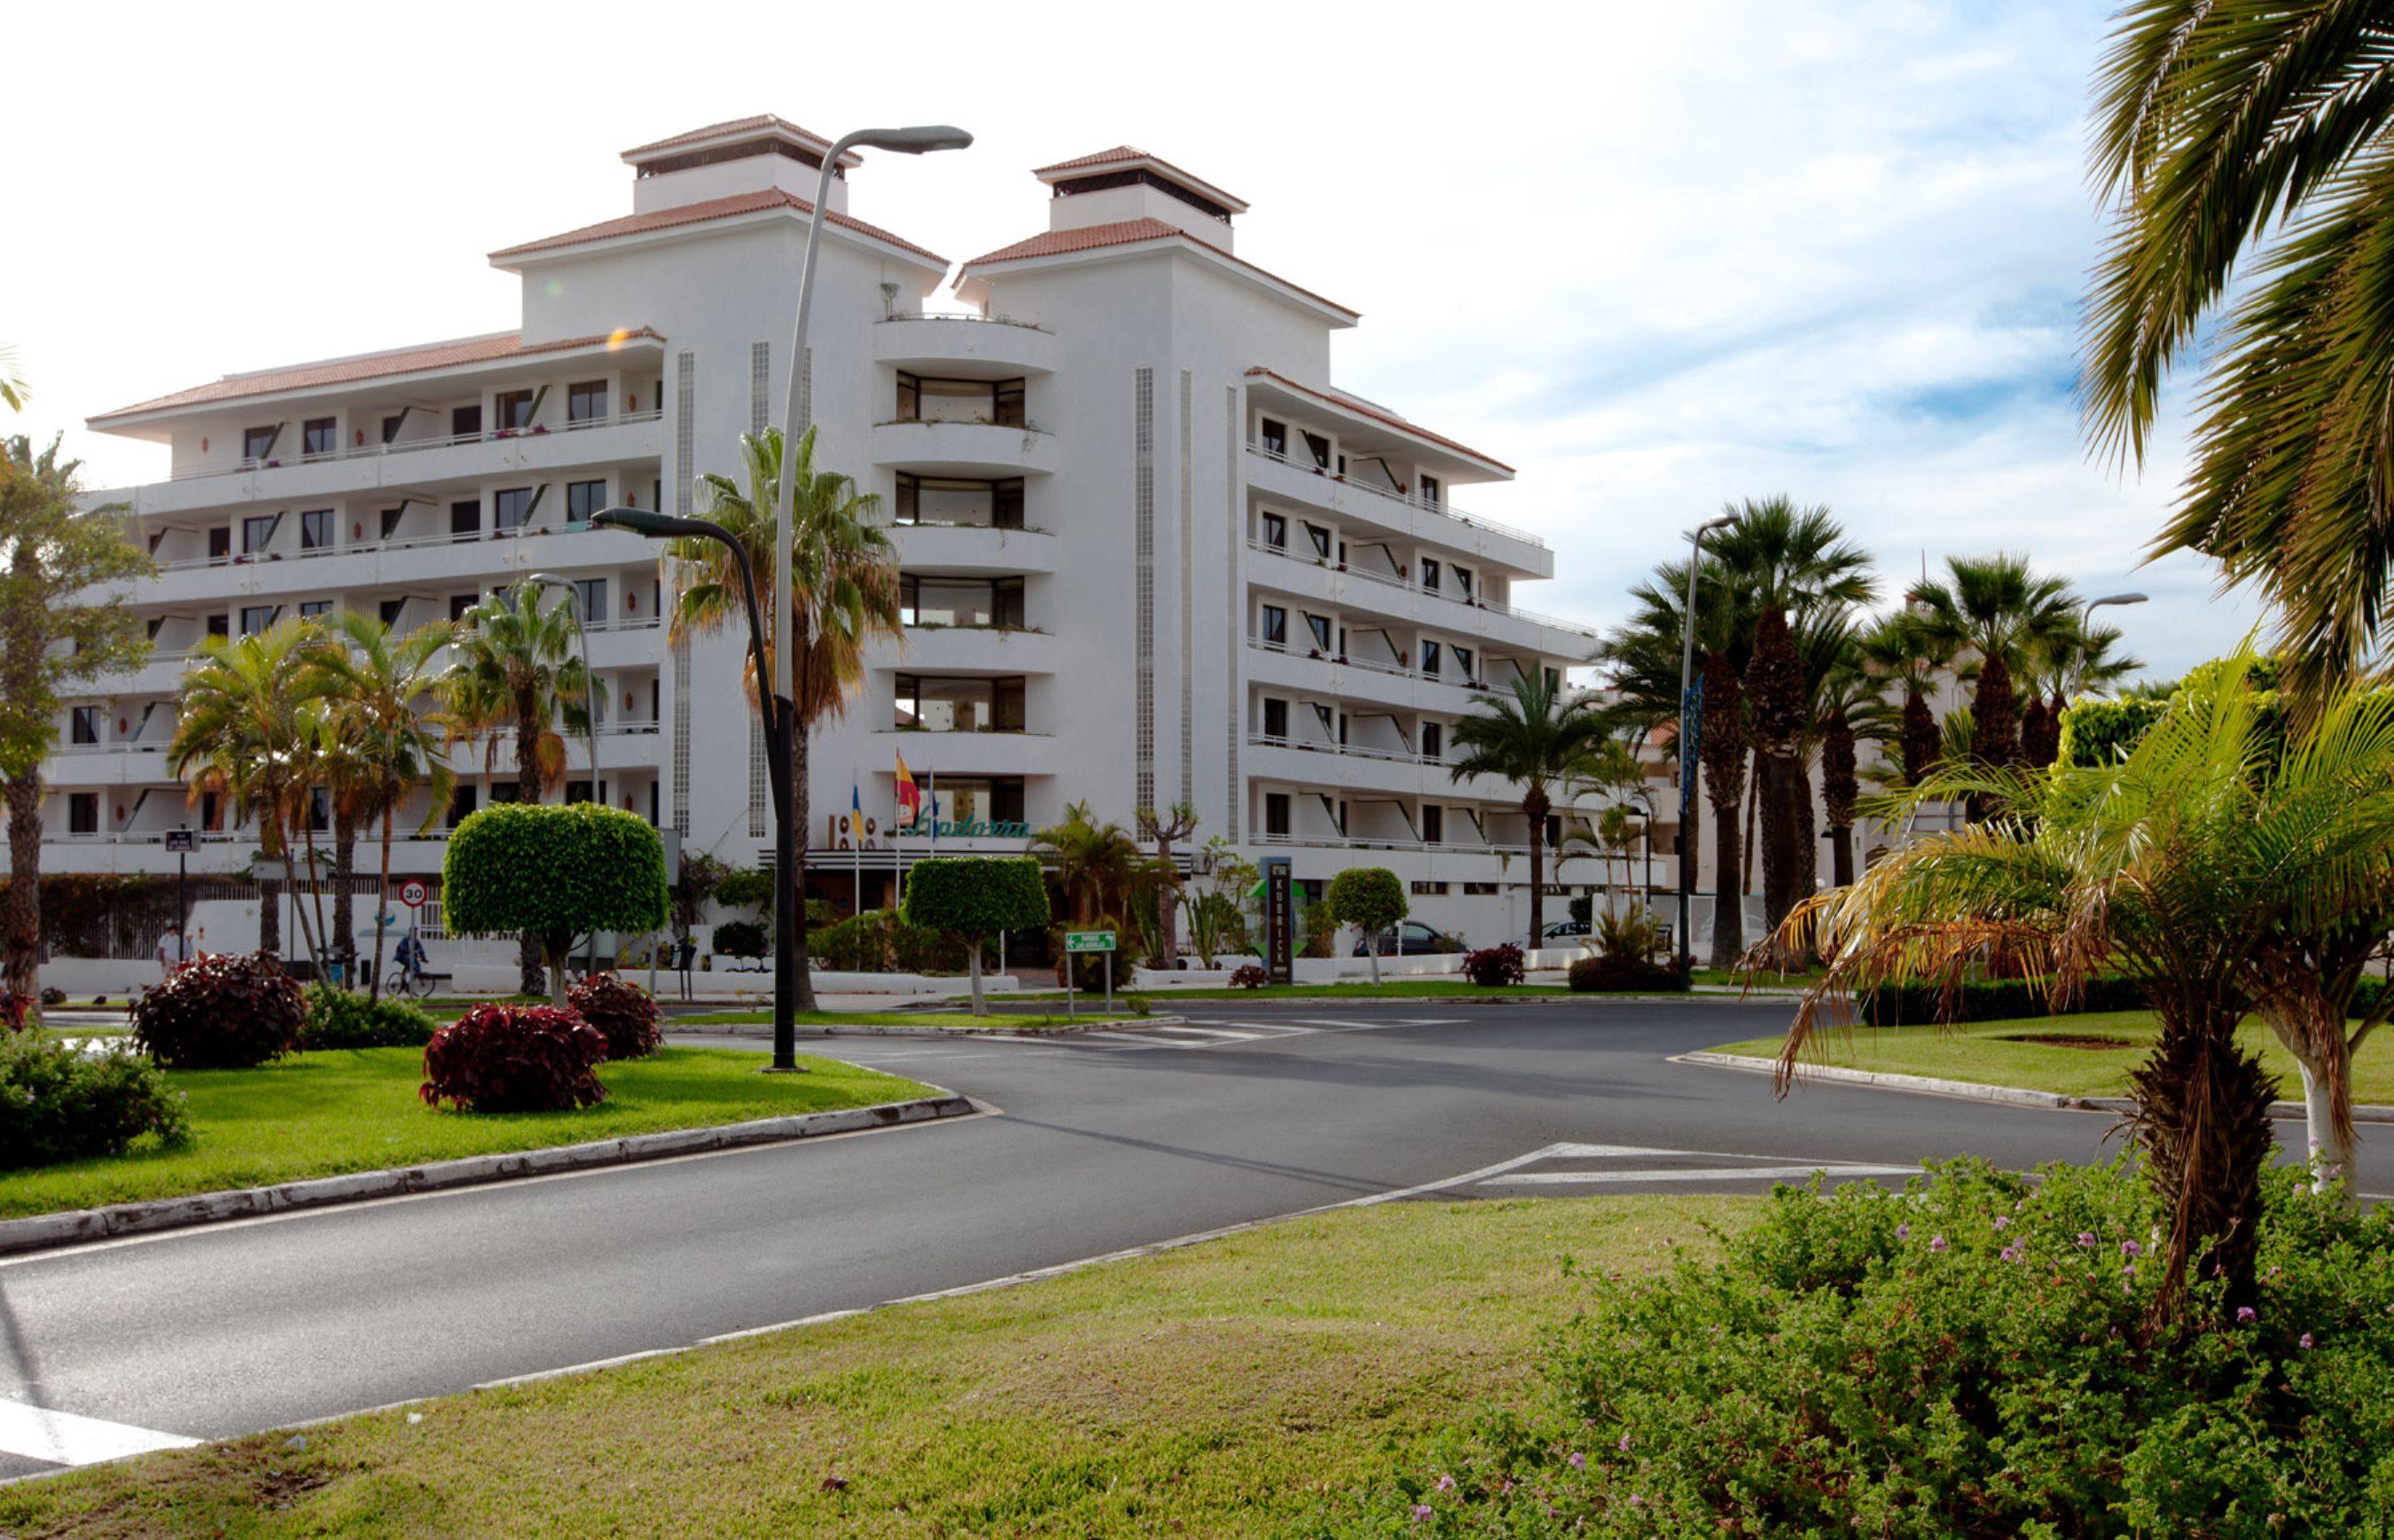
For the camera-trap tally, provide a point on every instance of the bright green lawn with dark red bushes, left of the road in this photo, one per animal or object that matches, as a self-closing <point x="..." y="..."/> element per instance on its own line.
<point x="356" y="1110"/>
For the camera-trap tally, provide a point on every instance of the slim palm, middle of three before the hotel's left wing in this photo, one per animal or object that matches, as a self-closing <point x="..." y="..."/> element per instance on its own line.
<point x="379" y="684"/>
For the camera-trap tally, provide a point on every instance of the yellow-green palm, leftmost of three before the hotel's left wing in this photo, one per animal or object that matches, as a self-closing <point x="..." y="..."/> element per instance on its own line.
<point x="243" y="736"/>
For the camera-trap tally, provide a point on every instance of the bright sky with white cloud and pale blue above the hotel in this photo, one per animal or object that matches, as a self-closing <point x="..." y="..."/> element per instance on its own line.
<point x="1653" y="257"/>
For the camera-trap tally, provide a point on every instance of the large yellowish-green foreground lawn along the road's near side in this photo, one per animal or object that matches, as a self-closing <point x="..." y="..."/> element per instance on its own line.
<point x="1239" y="1388"/>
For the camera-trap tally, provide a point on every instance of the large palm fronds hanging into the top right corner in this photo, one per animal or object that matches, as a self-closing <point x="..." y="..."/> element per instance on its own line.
<point x="2268" y="131"/>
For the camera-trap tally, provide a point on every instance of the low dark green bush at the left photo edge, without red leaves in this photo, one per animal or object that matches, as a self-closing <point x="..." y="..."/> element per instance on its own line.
<point x="59" y="1103"/>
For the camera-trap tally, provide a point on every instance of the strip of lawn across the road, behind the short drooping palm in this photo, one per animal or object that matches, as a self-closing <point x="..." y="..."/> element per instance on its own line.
<point x="1991" y="1053"/>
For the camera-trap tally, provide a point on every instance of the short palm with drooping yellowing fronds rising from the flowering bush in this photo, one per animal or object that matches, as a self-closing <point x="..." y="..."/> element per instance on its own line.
<point x="2196" y="866"/>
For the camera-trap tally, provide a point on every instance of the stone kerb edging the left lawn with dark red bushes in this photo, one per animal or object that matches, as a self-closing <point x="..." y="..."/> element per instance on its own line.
<point x="44" y="1232"/>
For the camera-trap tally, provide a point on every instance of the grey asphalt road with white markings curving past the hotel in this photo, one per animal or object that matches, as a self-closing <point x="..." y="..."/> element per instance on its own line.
<point x="1095" y="1146"/>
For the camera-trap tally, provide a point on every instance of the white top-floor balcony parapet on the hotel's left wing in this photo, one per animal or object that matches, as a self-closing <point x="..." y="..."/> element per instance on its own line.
<point x="628" y="437"/>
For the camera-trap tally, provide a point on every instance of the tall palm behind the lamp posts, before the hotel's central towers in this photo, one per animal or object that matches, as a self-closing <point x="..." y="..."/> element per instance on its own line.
<point x="844" y="576"/>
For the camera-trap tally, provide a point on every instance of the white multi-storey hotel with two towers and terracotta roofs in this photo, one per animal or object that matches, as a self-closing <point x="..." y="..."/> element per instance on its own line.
<point x="1153" y="554"/>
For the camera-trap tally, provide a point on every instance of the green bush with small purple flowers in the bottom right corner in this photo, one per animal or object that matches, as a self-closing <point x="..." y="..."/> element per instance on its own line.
<point x="1967" y="1359"/>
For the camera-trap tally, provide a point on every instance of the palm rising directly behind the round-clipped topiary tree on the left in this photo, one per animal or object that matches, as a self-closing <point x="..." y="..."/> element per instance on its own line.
<point x="518" y="672"/>
